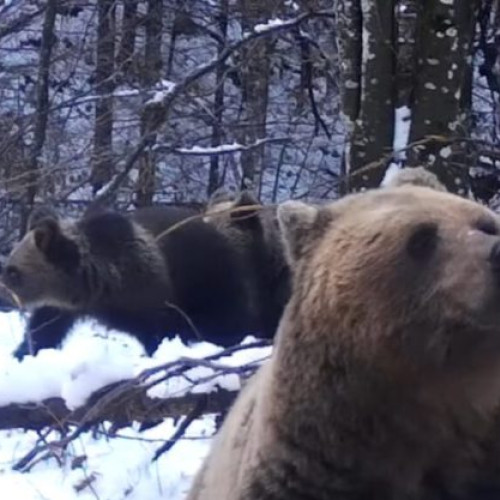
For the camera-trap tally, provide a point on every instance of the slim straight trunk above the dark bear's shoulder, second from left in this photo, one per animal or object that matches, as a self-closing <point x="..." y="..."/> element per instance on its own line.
<point x="102" y="160"/>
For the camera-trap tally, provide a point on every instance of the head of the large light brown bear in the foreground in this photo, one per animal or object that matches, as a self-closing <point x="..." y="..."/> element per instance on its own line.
<point x="414" y="271"/>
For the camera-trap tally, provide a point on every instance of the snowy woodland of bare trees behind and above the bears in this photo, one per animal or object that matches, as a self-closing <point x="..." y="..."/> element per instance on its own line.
<point x="133" y="102"/>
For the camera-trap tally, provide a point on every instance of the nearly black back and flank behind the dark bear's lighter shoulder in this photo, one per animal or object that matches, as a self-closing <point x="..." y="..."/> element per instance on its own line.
<point x="210" y="277"/>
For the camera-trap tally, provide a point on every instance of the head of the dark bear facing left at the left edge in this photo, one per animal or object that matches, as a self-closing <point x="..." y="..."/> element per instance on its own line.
<point x="42" y="269"/>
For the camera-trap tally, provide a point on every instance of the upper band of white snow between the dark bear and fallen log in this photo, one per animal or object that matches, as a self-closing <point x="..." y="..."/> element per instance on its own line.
<point x="94" y="357"/>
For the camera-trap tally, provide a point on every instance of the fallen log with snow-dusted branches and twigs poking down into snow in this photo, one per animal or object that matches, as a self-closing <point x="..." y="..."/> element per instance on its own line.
<point x="209" y="386"/>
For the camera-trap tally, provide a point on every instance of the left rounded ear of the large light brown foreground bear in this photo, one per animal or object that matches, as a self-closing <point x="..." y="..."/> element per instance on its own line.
<point x="300" y="225"/>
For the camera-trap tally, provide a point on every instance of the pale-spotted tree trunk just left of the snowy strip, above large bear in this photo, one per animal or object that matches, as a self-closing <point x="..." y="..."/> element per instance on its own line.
<point x="367" y="52"/>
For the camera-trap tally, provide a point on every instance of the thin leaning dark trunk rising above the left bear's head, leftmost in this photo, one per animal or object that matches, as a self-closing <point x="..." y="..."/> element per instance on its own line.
<point x="42" y="109"/>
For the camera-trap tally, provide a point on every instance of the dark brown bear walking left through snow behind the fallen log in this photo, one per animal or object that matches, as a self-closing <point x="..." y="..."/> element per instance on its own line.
<point x="122" y="271"/>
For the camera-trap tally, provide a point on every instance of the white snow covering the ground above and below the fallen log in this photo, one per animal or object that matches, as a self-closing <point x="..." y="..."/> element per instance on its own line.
<point x="96" y="466"/>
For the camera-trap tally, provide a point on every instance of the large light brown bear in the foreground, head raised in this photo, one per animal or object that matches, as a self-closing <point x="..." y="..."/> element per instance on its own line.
<point x="385" y="375"/>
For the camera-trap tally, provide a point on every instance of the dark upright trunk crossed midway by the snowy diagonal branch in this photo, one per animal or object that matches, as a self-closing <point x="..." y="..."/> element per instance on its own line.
<point x="152" y="72"/>
